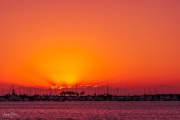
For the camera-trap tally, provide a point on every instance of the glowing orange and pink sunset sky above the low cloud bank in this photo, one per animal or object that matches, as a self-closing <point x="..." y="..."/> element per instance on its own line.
<point x="125" y="42"/>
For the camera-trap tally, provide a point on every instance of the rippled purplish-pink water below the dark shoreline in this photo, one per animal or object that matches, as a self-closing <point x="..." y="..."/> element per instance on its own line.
<point x="90" y="110"/>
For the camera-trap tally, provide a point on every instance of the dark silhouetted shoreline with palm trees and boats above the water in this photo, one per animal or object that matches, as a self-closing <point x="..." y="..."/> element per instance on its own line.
<point x="75" y="96"/>
